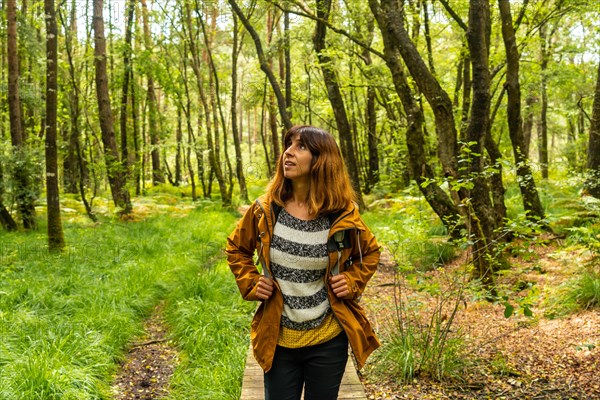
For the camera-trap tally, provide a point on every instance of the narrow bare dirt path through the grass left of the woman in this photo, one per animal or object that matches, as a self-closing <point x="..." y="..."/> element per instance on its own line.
<point x="149" y="365"/>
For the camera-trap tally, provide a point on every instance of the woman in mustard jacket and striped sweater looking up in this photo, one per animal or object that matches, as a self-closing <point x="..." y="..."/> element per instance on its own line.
<point x="317" y="256"/>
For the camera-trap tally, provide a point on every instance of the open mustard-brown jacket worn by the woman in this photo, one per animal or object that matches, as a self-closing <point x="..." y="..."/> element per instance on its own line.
<point x="354" y="254"/>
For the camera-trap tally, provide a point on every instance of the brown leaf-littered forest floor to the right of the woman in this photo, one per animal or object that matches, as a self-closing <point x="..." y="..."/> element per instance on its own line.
<point x="511" y="358"/>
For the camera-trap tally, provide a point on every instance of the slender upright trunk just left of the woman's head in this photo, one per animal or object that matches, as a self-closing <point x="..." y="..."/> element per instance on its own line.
<point x="239" y="164"/>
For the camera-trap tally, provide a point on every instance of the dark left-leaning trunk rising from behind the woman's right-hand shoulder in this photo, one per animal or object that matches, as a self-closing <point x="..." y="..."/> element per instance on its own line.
<point x="335" y="97"/>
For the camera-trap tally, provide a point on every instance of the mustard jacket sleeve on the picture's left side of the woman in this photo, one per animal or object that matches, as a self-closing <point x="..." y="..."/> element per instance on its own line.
<point x="241" y="244"/>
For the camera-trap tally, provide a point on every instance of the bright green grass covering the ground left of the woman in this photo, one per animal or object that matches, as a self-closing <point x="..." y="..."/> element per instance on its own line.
<point x="66" y="319"/>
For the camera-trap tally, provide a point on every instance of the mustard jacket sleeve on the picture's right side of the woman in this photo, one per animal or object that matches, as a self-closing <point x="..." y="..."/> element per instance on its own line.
<point x="364" y="261"/>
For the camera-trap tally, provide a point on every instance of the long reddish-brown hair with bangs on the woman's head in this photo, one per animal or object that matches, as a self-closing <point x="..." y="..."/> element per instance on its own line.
<point x="330" y="187"/>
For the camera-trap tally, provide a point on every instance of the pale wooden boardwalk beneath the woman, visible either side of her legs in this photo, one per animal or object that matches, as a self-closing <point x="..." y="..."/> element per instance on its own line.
<point x="253" y="389"/>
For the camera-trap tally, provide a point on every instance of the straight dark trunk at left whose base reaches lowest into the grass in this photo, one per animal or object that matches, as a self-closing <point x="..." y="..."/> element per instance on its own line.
<point x="56" y="239"/>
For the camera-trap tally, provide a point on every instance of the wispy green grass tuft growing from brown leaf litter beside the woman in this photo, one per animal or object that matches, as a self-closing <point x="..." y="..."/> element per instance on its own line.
<point x="425" y="341"/>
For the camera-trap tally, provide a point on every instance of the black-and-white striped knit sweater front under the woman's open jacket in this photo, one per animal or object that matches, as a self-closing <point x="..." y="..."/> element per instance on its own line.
<point x="299" y="261"/>
